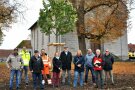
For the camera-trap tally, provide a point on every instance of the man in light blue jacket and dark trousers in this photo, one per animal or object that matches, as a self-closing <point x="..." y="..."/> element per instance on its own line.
<point x="88" y="65"/>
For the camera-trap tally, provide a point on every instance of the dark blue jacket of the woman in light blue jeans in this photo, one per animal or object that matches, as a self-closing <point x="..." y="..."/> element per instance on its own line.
<point x="79" y="60"/>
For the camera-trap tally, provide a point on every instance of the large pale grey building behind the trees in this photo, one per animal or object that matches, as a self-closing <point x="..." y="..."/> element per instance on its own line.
<point x="40" y="40"/>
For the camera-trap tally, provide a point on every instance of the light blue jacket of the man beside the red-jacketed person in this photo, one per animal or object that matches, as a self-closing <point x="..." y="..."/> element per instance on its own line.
<point x="88" y="60"/>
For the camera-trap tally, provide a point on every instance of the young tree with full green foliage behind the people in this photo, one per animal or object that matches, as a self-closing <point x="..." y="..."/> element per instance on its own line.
<point x="57" y="17"/>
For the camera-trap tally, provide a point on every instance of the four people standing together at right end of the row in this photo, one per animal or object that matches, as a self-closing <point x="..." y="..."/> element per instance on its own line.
<point x="100" y="66"/>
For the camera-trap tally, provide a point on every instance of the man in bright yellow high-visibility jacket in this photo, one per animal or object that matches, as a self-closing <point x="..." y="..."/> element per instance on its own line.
<point x="24" y="53"/>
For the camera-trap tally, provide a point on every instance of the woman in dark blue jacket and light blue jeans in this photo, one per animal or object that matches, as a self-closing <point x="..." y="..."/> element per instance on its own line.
<point x="79" y="68"/>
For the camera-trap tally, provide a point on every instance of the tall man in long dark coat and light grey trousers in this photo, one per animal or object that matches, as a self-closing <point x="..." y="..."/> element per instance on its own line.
<point x="66" y="59"/>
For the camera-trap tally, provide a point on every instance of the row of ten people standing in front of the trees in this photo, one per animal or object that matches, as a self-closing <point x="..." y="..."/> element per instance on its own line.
<point x="41" y="66"/>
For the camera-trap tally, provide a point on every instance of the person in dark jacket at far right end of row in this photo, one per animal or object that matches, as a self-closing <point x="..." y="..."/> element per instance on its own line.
<point x="108" y="66"/>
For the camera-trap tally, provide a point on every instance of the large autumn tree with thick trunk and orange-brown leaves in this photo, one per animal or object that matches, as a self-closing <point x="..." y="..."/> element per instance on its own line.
<point x="106" y="20"/>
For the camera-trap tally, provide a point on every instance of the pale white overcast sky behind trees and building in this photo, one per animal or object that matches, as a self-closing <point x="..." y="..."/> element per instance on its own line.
<point x="19" y="31"/>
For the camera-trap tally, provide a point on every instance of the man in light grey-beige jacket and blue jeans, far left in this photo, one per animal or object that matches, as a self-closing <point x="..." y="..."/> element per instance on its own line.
<point x="15" y="64"/>
